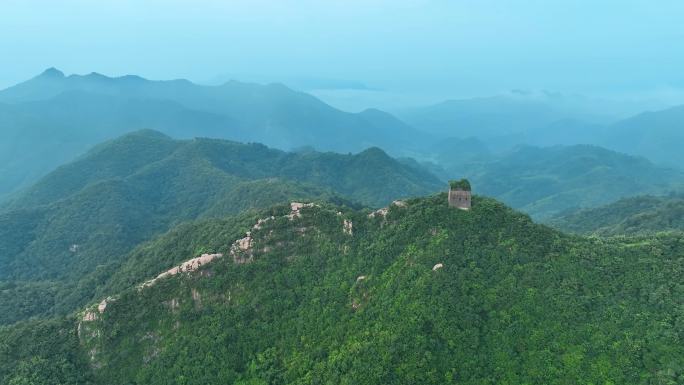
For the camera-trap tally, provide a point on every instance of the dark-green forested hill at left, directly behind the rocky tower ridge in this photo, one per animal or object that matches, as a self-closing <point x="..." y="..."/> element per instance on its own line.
<point x="81" y="219"/>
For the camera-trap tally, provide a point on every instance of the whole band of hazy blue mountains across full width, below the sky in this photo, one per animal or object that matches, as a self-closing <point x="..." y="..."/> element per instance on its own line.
<point x="53" y="118"/>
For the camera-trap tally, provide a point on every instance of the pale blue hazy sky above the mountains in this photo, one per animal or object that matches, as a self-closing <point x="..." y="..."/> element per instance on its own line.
<point x="413" y="50"/>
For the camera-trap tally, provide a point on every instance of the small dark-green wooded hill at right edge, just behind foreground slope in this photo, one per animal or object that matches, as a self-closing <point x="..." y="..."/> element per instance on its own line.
<point x="637" y="215"/>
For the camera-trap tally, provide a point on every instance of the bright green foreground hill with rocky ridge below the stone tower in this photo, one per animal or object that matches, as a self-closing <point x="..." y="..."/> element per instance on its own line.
<point x="419" y="293"/>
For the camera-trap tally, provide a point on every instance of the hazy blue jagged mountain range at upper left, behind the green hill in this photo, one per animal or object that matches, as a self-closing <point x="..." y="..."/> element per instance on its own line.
<point x="63" y="115"/>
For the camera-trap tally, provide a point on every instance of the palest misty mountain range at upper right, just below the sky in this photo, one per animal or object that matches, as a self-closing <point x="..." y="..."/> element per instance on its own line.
<point x="504" y="121"/>
